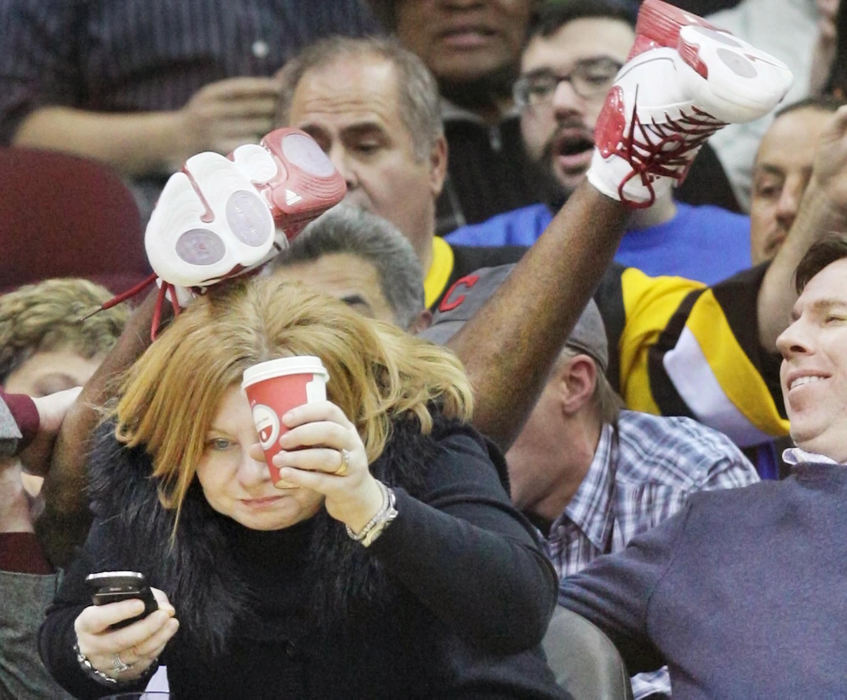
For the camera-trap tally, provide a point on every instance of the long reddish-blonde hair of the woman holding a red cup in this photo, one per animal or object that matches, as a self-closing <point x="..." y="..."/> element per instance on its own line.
<point x="377" y="372"/>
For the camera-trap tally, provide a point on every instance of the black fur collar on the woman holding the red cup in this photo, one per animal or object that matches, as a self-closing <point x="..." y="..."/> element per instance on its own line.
<point x="197" y="570"/>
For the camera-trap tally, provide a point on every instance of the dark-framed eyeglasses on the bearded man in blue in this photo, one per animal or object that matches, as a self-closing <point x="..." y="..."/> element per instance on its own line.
<point x="589" y="78"/>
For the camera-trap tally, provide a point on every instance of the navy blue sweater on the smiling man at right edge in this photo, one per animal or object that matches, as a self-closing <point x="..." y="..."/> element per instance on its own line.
<point x="743" y="594"/>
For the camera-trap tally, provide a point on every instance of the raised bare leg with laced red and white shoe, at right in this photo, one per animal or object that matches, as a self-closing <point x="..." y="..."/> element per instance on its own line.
<point x="643" y="146"/>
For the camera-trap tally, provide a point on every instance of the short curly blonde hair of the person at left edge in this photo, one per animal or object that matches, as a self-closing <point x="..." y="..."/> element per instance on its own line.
<point x="45" y="316"/>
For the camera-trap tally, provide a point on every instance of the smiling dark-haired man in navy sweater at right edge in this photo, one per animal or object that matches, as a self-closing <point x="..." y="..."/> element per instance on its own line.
<point x="742" y="593"/>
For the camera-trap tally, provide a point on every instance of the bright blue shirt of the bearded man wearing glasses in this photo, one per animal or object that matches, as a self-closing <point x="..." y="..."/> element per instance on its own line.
<point x="704" y="243"/>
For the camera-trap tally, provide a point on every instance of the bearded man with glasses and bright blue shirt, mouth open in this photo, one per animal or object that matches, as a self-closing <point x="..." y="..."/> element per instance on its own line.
<point x="569" y="63"/>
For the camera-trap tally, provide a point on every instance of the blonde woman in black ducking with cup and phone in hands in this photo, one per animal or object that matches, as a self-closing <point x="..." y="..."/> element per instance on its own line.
<point x="393" y="565"/>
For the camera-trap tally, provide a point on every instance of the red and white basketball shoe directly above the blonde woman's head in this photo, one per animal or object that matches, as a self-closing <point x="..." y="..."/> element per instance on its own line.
<point x="220" y="217"/>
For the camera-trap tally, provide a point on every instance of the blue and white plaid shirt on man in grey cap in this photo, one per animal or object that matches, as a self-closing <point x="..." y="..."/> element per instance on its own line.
<point x="643" y="471"/>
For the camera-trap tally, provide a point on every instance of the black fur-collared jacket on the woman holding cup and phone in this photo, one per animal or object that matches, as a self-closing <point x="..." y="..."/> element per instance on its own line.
<point x="451" y="601"/>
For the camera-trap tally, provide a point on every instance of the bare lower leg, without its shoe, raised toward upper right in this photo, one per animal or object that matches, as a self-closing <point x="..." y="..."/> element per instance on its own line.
<point x="509" y="346"/>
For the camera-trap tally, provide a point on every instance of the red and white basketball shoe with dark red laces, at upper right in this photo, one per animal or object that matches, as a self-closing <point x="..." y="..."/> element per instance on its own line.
<point x="684" y="80"/>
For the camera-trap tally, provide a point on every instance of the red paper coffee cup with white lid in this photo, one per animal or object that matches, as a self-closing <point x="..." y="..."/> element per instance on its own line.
<point x="273" y="388"/>
